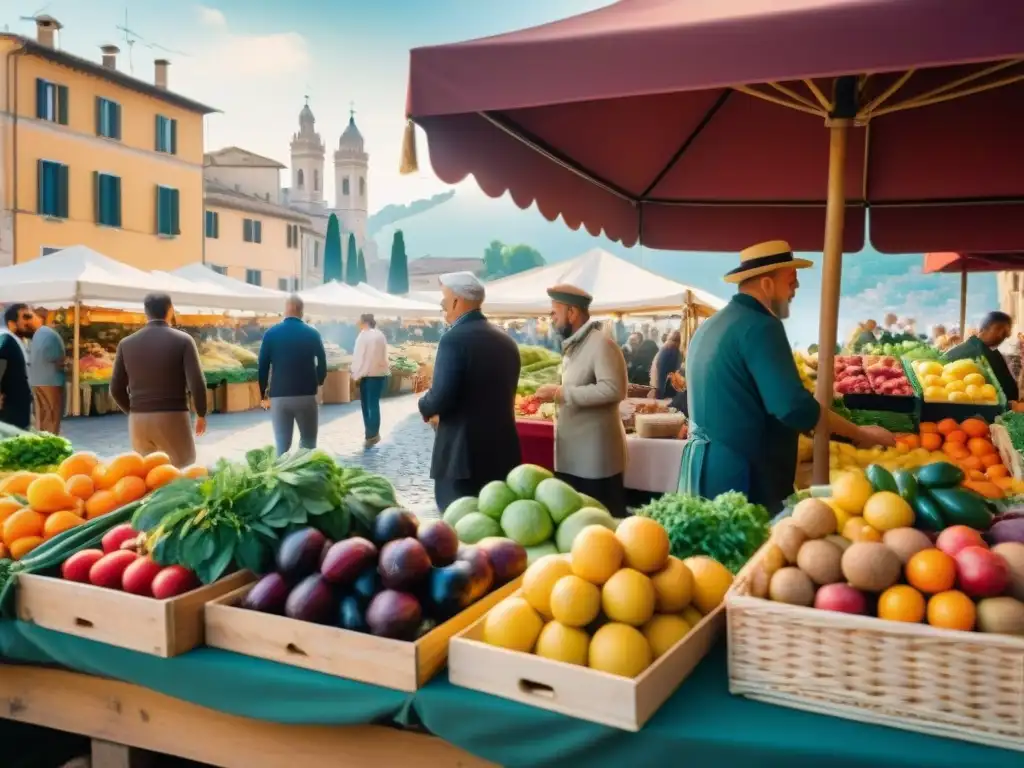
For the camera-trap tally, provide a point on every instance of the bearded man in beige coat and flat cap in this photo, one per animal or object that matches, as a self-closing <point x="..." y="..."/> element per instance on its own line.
<point x="590" y="442"/>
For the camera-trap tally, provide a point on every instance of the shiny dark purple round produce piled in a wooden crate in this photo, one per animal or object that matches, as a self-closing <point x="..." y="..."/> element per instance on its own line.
<point x="400" y="583"/>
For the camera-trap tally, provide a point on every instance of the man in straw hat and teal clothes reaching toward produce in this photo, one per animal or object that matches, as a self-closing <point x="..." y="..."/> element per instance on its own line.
<point x="748" y="406"/>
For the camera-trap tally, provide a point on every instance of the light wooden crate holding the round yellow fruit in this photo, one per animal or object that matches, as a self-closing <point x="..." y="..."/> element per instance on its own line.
<point x="579" y="692"/>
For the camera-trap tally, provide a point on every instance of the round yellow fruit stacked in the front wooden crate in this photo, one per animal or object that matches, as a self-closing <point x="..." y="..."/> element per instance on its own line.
<point x="616" y="604"/>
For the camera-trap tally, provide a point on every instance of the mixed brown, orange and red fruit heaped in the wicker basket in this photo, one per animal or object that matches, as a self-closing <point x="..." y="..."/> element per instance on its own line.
<point x="900" y="574"/>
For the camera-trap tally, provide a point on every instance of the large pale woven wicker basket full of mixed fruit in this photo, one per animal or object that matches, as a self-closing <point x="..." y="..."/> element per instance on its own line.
<point x="963" y="686"/>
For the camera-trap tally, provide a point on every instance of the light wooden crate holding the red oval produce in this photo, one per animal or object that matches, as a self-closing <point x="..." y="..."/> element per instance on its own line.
<point x="160" y="628"/>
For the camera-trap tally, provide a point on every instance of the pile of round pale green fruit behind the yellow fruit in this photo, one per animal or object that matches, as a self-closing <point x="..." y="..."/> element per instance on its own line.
<point x="531" y="507"/>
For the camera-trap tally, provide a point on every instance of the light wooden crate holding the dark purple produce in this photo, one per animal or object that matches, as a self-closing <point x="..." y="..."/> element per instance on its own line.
<point x="393" y="664"/>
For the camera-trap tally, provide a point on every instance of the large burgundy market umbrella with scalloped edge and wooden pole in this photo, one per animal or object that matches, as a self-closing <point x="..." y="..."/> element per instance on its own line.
<point x="715" y="124"/>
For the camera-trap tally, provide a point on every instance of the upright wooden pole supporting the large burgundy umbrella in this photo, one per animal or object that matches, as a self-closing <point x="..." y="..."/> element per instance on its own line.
<point x="832" y="273"/>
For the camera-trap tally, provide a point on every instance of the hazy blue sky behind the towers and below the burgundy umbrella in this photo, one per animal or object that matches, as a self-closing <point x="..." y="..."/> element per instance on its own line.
<point x="255" y="61"/>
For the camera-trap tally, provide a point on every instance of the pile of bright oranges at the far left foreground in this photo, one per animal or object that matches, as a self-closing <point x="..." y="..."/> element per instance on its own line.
<point x="82" y="489"/>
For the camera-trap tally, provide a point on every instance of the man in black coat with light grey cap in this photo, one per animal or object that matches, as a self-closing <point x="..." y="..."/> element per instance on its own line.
<point x="473" y="397"/>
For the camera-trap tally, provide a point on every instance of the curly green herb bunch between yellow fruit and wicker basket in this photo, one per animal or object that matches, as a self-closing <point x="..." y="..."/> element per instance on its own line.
<point x="728" y="529"/>
